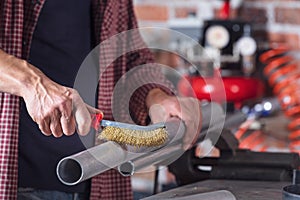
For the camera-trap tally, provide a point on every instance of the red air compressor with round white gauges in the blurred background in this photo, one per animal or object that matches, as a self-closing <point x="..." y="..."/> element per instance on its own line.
<point x="233" y="51"/>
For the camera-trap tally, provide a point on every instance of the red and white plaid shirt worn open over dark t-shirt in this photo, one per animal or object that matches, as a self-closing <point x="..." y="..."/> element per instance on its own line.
<point x="17" y="23"/>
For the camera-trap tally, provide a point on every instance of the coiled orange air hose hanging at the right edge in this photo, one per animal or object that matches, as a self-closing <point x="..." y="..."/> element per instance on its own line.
<point x="284" y="77"/>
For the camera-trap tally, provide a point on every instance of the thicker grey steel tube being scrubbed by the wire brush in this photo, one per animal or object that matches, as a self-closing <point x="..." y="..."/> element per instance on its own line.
<point x="76" y="168"/>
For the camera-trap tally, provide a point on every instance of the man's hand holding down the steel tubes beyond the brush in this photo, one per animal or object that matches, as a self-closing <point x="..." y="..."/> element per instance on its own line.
<point x="162" y="106"/>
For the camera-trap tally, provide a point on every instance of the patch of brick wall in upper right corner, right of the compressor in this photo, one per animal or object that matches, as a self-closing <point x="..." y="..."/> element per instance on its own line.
<point x="281" y="19"/>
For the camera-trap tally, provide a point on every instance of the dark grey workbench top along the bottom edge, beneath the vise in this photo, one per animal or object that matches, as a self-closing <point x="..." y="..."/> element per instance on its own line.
<point x="241" y="190"/>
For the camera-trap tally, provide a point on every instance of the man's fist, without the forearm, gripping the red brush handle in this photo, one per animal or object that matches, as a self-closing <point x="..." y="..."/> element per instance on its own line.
<point x="59" y="110"/>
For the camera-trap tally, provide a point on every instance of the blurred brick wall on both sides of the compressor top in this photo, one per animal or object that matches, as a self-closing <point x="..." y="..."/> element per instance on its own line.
<point x="273" y="20"/>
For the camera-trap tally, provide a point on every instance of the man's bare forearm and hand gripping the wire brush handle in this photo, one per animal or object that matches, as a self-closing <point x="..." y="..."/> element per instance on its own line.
<point x="56" y="109"/>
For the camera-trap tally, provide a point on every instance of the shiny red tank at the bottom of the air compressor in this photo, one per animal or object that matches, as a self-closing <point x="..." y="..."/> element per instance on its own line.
<point x="237" y="89"/>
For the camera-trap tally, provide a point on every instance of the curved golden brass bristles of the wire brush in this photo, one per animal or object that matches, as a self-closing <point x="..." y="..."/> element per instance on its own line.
<point x="137" y="138"/>
